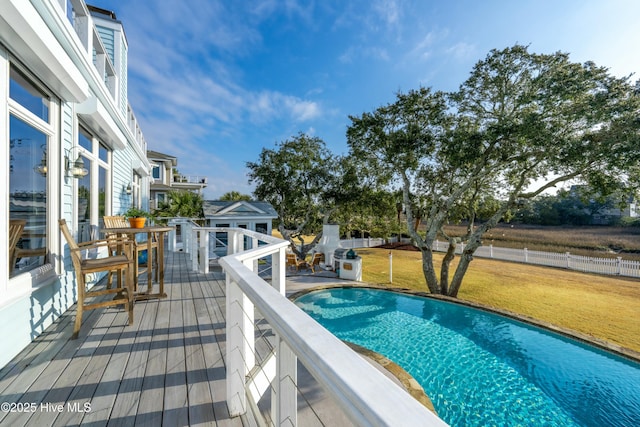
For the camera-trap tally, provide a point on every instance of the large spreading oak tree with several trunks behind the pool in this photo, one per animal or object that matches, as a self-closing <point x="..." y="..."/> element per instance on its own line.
<point x="520" y="124"/>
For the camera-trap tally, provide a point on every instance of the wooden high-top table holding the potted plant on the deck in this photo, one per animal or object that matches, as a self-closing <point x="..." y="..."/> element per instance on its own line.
<point x="160" y="230"/>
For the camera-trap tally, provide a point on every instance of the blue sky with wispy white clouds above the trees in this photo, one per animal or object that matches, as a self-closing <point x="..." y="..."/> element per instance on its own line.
<point x="213" y="82"/>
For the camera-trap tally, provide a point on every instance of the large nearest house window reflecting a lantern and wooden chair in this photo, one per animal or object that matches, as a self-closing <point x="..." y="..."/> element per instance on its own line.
<point x="30" y="132"/>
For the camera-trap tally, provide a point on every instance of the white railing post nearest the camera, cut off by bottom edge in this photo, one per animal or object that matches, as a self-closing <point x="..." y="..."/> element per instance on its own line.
<point x="284" y="395"/>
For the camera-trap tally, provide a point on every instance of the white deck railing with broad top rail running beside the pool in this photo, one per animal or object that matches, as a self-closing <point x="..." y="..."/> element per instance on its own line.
<point x="365" y="394"/>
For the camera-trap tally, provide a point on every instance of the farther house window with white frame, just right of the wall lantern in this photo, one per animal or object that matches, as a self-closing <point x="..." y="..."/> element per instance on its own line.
<point x="95" y="188"/>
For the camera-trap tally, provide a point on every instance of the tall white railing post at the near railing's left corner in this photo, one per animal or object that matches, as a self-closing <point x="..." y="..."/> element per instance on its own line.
<point x="240" y="346"/>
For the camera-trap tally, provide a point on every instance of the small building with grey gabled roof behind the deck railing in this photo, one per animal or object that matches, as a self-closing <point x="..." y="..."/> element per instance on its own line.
<point x="251" y="215"/>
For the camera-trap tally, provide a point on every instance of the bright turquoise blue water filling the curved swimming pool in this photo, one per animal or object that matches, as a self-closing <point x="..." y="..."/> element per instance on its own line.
<point x="483" y="369"/>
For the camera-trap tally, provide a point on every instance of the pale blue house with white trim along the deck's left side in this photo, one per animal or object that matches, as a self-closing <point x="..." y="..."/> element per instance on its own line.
<point x="73" y="149"/>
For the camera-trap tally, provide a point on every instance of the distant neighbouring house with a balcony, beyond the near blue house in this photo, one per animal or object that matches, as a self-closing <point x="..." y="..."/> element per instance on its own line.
<point x="165" y="178"/>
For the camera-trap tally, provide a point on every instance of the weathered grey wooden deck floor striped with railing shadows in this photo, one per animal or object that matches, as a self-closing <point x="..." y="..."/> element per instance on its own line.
<point x="168" y="368"/>
